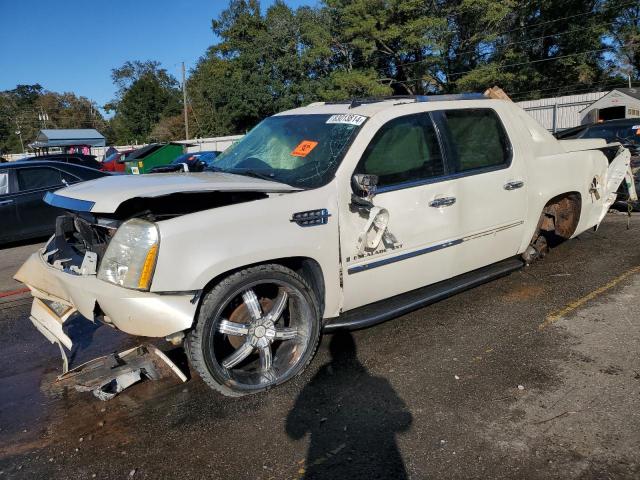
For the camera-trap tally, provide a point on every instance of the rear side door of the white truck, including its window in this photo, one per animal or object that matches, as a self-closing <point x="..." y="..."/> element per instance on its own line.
<point x="488" y="181"/>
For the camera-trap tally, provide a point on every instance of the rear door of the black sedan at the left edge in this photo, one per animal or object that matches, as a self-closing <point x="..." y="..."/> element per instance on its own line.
<point x="34" y="215"/>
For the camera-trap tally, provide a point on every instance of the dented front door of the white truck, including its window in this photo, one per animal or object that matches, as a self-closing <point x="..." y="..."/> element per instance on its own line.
<point x="414" y="204"/>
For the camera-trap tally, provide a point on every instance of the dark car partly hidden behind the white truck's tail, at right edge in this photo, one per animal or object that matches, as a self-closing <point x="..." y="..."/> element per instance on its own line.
<point x="626" y="131"/>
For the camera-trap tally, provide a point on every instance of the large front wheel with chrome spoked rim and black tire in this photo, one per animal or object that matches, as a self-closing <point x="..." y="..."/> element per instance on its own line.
<point x="292" y="338"/>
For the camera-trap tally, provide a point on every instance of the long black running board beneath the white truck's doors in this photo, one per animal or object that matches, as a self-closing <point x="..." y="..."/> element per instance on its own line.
<point x="389" y="308"/>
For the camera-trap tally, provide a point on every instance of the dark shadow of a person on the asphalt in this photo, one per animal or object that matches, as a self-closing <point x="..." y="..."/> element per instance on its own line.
<point x="352" y="419"/>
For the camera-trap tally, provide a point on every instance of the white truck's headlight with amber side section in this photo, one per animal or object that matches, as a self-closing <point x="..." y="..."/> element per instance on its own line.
<point x="131" y="256"/>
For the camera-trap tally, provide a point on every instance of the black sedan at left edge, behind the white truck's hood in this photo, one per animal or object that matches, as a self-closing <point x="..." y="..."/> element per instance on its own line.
<point x="23" y="213"/>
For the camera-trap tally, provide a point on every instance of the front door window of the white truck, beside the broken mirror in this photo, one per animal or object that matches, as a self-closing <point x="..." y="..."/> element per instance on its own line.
<point x="404" y="149"/>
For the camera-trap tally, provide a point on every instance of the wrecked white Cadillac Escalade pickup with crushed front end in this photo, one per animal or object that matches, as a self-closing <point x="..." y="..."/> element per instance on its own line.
<point x="330" y="216"/>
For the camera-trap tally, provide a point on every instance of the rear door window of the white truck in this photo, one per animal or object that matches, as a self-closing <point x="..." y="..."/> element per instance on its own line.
<point x="478" y="139"/>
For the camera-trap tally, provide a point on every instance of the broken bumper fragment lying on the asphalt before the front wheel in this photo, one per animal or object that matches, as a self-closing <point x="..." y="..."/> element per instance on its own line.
<point x="107" y="376"/>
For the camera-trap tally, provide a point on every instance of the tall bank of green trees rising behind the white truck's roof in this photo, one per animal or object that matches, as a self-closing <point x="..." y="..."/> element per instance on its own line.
<point x="340" y="49"/>
